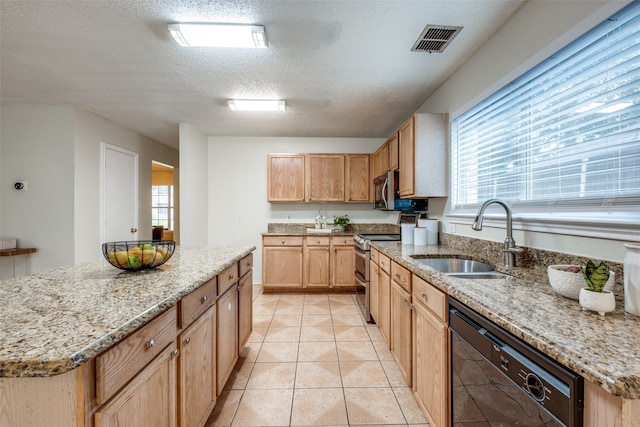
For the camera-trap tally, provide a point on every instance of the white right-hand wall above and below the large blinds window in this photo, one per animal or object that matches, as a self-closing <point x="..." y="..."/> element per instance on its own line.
<point x="535" y="32"/>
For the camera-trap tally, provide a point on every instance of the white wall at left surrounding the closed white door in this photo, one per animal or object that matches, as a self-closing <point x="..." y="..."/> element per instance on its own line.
<point x="56" y="149"/>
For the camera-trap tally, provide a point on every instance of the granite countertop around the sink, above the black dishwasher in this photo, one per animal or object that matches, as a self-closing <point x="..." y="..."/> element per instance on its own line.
<point x="603" y="349"/>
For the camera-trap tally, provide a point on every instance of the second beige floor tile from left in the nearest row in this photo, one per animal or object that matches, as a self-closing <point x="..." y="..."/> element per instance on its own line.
<point x="264" y="408"/>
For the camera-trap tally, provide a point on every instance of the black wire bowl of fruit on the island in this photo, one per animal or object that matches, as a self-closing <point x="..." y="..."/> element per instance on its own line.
<point x="135" y="255"/>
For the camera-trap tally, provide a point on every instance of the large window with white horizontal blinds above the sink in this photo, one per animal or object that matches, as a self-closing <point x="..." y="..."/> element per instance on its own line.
<point x="565" y="136"/>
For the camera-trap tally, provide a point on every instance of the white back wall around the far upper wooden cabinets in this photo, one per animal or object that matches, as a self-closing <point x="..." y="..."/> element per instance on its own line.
<point x="238" y="207"/>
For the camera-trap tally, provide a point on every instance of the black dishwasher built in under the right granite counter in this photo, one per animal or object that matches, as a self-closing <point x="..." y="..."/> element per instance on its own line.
<point x="499" y="380"/>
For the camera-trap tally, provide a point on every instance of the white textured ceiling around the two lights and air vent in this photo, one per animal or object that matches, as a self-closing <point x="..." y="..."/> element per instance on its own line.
<point x="345" y="68"/>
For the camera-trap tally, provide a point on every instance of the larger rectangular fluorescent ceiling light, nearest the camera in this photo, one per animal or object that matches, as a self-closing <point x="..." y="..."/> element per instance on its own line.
<point x="219" y="35"/>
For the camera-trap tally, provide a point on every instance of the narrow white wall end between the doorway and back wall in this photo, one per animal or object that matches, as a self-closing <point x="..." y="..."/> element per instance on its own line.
<point x="194" y="192"/>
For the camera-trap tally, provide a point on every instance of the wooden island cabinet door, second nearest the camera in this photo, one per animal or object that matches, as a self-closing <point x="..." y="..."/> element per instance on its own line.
<point x="197" y="370"/>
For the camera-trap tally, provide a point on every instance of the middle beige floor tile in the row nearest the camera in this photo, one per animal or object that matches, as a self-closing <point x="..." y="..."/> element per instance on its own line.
<point x="319" y="407"/>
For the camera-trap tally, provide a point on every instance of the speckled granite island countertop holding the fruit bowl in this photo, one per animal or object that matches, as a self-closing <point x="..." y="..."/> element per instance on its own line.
<point x="54" y="321"/>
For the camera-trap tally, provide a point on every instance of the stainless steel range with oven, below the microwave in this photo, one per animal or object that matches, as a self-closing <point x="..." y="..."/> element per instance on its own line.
<point x="362" y="253"/>
